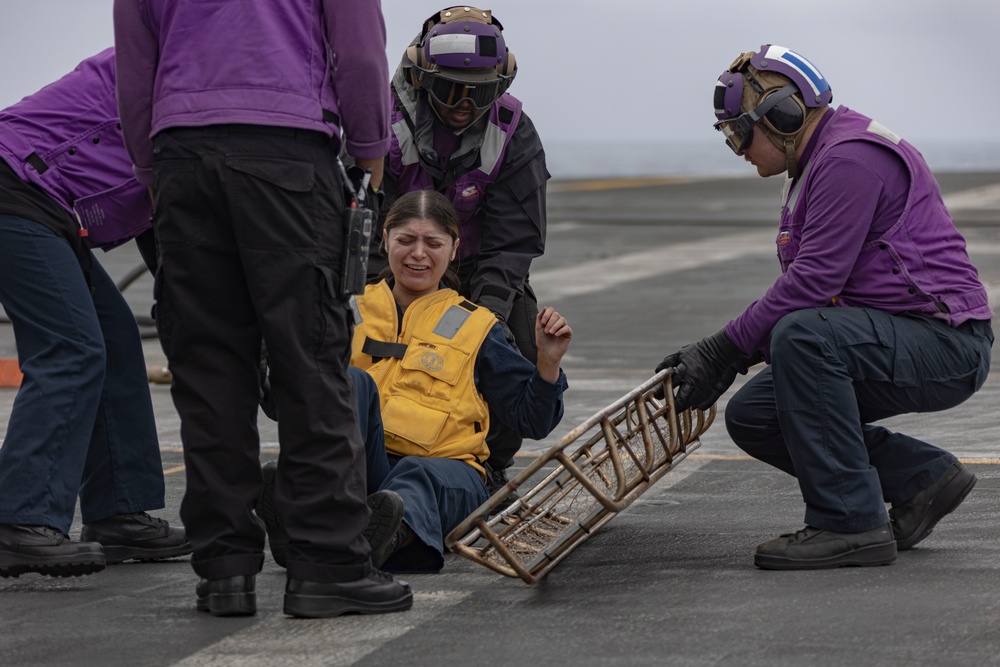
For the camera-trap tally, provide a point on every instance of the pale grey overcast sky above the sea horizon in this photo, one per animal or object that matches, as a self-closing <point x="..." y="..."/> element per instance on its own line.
<point x="644" y="69"/>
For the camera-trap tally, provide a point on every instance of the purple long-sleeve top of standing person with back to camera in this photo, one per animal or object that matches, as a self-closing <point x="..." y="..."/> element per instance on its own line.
<point x="191" y="63"/>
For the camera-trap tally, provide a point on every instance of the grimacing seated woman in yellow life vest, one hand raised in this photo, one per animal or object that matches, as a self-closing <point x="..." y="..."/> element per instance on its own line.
<point x="439" y="362"/>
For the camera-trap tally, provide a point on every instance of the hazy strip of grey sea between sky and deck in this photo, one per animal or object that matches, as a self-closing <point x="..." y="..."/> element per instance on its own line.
<point x="607" y="159"/>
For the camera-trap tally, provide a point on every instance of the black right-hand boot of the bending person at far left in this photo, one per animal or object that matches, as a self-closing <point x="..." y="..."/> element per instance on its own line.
<point x="136" y="536"/>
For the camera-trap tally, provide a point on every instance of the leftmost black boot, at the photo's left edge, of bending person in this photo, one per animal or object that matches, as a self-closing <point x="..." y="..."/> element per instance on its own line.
<point x="46" y="551"/>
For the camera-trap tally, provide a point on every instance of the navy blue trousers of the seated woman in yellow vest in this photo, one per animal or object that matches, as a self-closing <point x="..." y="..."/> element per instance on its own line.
<point x="437" y="493"/>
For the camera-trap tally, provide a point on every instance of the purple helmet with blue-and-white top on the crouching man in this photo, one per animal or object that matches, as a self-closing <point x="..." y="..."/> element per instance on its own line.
<point x="781" y="103"/>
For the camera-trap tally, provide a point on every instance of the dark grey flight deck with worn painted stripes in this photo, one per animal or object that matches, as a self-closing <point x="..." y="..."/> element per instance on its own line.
<point x="639" y="270"/>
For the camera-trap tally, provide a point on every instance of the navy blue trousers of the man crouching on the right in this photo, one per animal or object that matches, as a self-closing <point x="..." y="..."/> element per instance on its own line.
<point x="833" y="372"/>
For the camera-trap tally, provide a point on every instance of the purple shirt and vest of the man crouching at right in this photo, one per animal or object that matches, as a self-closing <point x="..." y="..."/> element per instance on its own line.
<point x="864" y="226"/>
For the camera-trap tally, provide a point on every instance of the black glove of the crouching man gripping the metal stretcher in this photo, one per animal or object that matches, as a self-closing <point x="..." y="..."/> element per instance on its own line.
<point x="703" y="371"/>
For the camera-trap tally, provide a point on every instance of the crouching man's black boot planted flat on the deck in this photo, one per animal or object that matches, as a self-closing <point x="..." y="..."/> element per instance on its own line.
<point x="815" y="549"/>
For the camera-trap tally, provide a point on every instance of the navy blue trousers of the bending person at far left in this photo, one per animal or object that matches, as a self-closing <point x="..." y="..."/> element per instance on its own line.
<point x="82" y="422"/>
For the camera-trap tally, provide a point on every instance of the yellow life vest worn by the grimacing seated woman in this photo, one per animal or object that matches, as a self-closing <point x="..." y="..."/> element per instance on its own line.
<point x="424" y="369"/>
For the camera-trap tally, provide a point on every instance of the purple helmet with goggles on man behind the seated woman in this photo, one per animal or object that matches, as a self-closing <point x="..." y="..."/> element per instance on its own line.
<point x="461" y="54"/>
